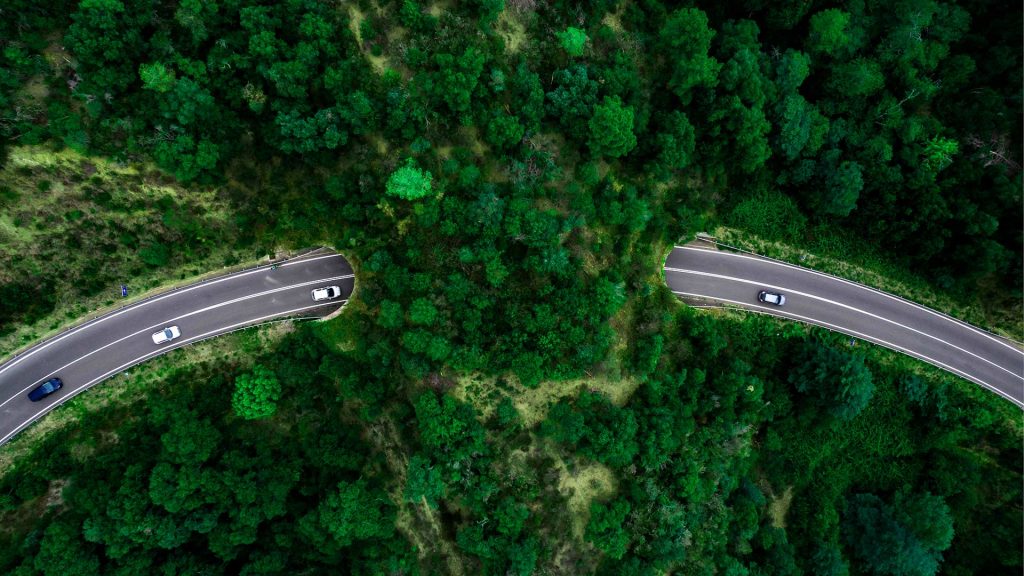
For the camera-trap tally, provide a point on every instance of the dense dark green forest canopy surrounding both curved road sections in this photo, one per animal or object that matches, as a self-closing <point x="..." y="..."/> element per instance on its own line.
<point x="506" y="176"/>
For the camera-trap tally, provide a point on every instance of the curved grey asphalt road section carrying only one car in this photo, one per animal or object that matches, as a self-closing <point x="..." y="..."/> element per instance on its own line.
<point x="845" y="307"/>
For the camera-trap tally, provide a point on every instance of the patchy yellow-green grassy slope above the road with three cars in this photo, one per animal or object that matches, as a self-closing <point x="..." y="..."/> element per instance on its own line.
<point x="83" y="226"/>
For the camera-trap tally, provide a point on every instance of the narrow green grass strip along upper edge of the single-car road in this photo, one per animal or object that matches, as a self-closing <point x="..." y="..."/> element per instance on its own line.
<point x="846" y="258"/>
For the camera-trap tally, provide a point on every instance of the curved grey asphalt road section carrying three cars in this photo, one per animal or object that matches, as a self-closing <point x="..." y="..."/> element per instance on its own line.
<point x="98" y="350"/>
